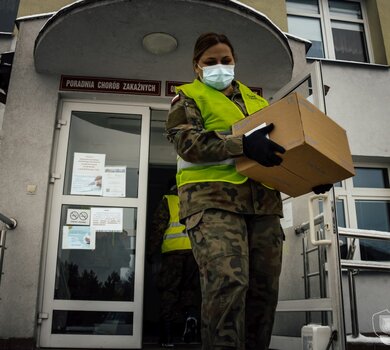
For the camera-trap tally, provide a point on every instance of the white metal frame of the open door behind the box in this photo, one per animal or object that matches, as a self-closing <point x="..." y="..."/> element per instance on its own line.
<point x="334" y="301"/>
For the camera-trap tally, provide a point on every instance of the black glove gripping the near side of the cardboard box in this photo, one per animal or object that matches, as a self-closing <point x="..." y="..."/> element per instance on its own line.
<point x="259" y="148"/>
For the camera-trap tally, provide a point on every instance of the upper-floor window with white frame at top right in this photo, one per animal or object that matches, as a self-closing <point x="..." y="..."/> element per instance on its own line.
<point x="336" y="28"/>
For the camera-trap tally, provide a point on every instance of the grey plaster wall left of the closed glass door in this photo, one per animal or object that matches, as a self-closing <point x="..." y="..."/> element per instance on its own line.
<point x="25" y="158"/>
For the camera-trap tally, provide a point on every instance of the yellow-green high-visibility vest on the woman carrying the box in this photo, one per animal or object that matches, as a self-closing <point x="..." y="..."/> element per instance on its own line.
<point x="219" y="114"/>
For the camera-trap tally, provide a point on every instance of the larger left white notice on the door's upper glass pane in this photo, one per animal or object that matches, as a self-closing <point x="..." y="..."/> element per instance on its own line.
<point x="88" y="170"/>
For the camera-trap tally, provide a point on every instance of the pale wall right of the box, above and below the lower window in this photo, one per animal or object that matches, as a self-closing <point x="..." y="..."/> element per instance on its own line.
<point x="358" y="100"/>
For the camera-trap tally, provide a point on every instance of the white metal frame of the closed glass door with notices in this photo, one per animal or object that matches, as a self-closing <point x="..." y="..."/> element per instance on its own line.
<point x="45" y="337"/>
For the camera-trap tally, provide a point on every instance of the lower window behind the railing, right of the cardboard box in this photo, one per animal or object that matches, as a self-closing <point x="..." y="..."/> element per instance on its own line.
<point x="364" y="201"/>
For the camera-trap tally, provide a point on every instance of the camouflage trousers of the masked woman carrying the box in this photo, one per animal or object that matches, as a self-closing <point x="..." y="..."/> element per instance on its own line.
<point x="239" y="258"/>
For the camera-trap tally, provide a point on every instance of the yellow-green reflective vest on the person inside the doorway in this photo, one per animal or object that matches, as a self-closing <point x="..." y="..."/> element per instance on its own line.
<point x="175" y="236"/>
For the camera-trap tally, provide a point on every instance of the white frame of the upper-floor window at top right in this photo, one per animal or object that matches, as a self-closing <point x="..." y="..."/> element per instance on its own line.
<point x="326" y="27"/>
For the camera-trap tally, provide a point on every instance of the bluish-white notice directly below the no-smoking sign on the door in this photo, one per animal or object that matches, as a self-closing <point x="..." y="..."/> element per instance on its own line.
<point x="78" y="237"/>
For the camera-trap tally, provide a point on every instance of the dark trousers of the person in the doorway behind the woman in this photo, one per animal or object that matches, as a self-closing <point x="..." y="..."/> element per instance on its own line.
<point x="178" y="285"/>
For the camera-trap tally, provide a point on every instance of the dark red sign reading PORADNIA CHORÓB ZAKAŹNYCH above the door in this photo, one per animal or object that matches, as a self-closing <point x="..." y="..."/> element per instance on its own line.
<point x="111" y="85"/>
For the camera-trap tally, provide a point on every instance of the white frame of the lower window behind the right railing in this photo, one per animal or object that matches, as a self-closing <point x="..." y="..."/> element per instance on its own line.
<point x="350" y="194"/>
